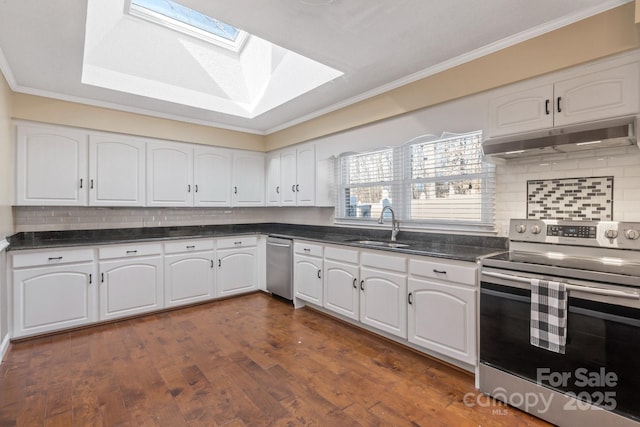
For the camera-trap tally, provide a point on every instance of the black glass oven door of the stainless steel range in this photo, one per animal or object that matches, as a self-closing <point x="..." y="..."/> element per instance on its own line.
<point x="601" y="364"/>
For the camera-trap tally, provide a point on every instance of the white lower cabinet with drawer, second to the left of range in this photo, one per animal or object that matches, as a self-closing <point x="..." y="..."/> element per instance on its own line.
<point x="383" y="291"/>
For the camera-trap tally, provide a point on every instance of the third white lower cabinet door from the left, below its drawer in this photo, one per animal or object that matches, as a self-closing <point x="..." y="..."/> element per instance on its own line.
<point x="189" y="278"/>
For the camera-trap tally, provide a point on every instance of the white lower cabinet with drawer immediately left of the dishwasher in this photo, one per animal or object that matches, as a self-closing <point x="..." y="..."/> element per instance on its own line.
<point x="237" y="265"/>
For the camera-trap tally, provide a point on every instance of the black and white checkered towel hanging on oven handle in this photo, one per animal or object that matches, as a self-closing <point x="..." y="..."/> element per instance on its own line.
<point x="549" y="315"/>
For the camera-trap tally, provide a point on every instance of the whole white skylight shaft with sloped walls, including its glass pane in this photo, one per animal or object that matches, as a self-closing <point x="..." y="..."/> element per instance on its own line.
<point x="152" y="48"/>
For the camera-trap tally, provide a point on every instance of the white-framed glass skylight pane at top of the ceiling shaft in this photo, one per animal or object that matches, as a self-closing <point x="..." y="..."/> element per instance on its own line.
<point x="189" y="21"/>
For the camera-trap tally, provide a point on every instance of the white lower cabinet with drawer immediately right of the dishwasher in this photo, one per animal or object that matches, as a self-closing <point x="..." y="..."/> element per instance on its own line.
<point x="307" y="272"/>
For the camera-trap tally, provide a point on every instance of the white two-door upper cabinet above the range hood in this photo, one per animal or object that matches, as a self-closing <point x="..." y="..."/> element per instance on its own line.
<point x="598" y="95"/>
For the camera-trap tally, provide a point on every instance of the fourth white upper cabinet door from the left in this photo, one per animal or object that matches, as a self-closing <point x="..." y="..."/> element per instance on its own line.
<point x="212" y="177"/>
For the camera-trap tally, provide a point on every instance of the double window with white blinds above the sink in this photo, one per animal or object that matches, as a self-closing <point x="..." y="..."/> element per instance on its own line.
<point x="430" y="182"/>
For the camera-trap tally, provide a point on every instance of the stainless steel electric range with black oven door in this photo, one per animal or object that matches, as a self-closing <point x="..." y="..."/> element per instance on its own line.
<point x="596" y="382"/>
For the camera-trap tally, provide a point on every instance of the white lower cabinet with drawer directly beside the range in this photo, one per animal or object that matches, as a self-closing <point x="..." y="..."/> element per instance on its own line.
<point x="442" y="308"/>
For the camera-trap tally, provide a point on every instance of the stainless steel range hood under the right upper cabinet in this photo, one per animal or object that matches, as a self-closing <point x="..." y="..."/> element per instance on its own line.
<point x="587" y="136"/>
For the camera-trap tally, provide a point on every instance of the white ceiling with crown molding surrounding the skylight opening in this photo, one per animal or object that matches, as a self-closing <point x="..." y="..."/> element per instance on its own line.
<point x="378" y="44"/>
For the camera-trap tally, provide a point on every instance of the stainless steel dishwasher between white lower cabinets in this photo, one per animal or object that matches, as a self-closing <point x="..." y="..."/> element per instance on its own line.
<point x="280" y="267"/>
